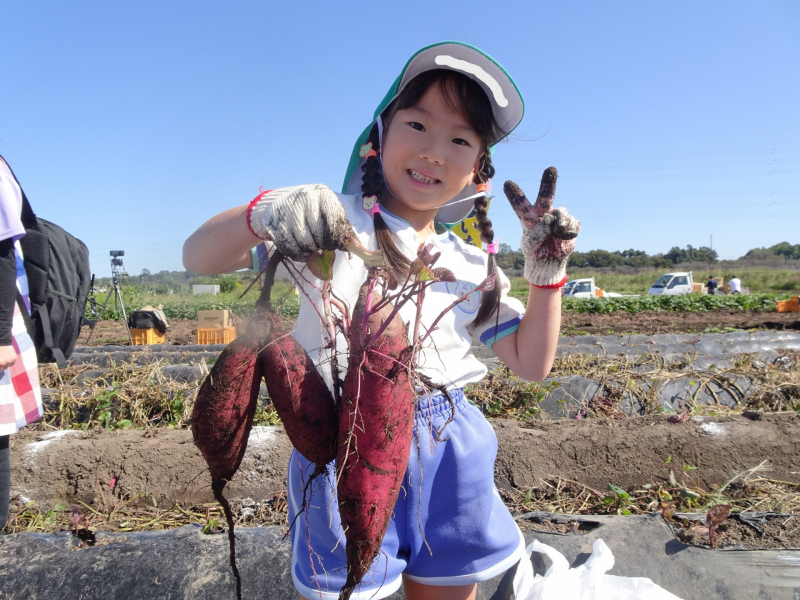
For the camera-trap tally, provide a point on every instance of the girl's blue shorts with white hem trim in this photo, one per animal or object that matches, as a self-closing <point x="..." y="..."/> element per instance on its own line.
<point x="449" y="526"/>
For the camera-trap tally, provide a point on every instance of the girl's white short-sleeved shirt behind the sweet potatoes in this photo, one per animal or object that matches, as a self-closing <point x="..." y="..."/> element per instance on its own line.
<point x="446" y="357"/>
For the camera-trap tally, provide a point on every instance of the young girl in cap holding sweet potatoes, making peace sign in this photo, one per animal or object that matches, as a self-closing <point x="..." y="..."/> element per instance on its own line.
<point x="422" y="166"/>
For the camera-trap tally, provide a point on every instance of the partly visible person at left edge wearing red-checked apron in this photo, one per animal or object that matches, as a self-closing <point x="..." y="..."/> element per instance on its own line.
<point x="20" y="396"/>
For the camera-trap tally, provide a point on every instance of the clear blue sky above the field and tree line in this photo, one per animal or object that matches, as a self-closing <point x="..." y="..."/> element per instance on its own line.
<point x="130" y="124"/>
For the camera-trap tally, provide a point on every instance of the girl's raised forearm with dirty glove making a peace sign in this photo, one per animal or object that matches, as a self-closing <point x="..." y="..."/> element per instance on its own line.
<point x="548" y="240"/>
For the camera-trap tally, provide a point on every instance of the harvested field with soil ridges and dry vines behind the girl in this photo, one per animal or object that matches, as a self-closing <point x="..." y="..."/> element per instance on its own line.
<point x="650" y="415"/>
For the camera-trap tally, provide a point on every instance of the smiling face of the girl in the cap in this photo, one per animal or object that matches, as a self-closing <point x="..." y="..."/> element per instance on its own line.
<point x="430" y="153"/>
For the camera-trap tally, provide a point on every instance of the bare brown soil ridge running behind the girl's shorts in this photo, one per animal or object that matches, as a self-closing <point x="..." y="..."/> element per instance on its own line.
<point x="65" y="467"/>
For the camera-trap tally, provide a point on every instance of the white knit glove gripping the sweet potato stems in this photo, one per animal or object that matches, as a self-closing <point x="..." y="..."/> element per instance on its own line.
<point x="301" y="220"/>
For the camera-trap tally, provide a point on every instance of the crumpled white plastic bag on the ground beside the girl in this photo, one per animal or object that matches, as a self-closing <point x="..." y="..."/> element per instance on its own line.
<point x="587" y="582"/>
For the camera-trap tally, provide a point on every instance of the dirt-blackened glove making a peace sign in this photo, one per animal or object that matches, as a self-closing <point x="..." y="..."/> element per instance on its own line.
<point x="549" y="233"/>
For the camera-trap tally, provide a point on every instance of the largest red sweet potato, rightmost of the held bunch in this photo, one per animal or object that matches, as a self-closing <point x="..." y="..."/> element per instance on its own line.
<point x="375" y="433"/>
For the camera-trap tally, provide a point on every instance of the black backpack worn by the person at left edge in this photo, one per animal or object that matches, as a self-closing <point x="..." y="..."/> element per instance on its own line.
<point x="57" y="266"/>
